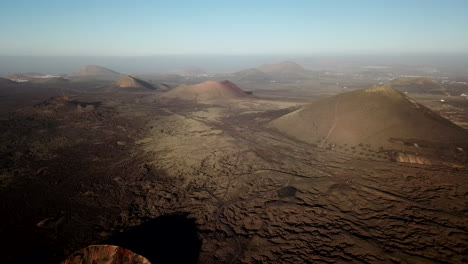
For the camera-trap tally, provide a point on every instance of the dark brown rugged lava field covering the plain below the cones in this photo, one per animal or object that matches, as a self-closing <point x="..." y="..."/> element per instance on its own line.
<point x="142" y="169"/>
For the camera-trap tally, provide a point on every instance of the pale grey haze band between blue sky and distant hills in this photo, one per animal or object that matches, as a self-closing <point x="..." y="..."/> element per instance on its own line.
<point x="217" y="64"/>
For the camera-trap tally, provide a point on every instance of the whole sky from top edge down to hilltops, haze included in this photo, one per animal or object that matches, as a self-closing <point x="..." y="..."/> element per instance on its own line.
<point x="145" y="36"/>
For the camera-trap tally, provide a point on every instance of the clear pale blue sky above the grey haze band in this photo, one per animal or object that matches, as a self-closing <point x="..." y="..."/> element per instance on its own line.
<point x="96" y="27"/>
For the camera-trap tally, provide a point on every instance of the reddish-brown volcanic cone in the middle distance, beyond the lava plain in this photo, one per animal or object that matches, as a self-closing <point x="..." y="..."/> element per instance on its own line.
<point x="207" y="91"/>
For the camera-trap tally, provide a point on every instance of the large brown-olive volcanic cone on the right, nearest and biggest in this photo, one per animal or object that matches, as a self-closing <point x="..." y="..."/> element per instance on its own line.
<point x="379" y="118"/>
